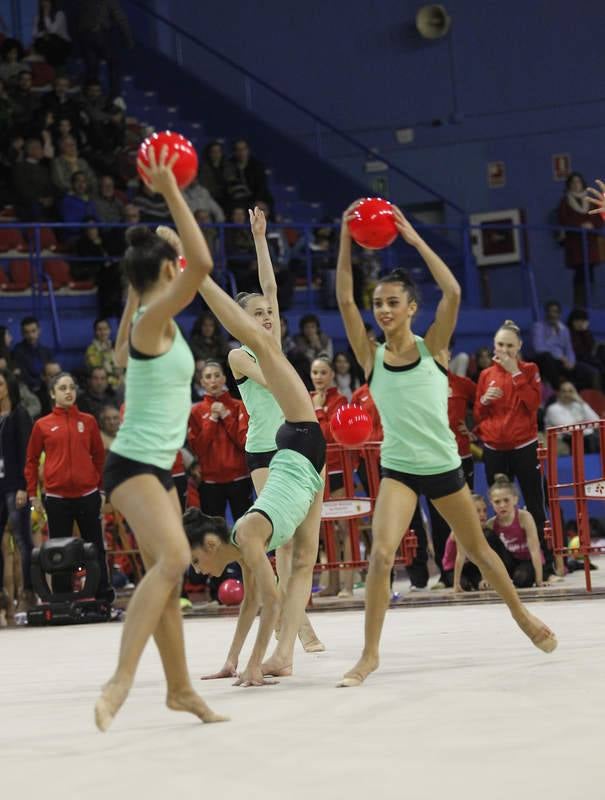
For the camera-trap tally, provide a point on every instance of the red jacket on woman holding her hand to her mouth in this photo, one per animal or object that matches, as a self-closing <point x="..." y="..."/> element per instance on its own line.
<point x="510" y="421"/>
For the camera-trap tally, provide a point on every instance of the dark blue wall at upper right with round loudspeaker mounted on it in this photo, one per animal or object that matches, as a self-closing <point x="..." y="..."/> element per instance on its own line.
<point x="522" y="81"/>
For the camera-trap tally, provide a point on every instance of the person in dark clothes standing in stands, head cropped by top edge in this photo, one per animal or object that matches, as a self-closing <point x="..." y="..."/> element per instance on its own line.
<point x="96" y="22"/>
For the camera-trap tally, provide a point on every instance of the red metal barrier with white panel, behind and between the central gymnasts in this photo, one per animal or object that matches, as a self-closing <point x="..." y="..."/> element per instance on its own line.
<point x="353" y="510"/>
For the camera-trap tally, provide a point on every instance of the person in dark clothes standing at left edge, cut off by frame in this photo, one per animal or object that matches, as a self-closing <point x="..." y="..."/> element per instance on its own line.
<point x="15" y="429"/>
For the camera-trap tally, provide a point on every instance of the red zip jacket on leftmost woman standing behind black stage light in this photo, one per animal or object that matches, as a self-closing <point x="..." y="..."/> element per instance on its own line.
<point x="74" y="452"/>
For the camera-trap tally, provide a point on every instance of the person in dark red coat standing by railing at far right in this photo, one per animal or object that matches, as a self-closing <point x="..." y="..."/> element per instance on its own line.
<point x="573" y="212"/>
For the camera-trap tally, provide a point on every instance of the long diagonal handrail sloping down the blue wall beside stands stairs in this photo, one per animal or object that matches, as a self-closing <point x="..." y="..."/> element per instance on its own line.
<point x="294" y="103"/>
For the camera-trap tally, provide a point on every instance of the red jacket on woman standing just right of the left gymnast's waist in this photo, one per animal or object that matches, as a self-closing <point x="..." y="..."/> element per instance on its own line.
<point x="219" y="444"/>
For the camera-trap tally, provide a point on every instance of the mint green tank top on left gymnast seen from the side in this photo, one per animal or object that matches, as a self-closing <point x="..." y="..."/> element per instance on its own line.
<point x="158" y="402"/>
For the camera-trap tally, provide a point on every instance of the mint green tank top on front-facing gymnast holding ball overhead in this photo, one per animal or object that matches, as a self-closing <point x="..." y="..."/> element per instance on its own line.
<point x="412" y="403"/>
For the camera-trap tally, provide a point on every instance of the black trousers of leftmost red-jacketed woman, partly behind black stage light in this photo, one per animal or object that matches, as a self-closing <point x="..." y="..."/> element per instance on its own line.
<point x="62" y="512"/>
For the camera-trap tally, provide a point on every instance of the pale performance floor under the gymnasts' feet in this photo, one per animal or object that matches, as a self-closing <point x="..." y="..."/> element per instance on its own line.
<point x="462" y="707"/>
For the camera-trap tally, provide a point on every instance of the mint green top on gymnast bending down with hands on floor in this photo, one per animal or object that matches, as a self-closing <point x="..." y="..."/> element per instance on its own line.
<point x="286" y="497"/>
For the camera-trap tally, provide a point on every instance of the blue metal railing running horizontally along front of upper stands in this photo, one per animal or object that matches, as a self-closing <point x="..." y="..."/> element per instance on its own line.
<point x="454" y="243"/>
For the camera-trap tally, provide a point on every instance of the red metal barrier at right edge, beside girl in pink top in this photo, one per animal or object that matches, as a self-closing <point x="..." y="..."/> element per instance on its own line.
<point x="578" y="492"/>
